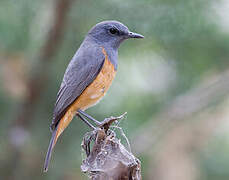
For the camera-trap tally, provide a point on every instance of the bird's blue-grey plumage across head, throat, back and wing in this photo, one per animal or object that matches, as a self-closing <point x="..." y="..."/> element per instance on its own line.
<point x="87" y="63"/>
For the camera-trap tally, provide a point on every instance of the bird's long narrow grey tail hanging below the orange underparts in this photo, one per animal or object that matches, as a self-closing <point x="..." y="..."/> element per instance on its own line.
<point x="50" y="149"/>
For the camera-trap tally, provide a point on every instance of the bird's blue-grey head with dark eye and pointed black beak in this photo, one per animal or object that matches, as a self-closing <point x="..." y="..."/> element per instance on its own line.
<point x="111" y="34"/>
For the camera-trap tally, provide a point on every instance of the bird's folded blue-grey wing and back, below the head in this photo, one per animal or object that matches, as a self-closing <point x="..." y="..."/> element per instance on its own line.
<point x="81" y="71"/>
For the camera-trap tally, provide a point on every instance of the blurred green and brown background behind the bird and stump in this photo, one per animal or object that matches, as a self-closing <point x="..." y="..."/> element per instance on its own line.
<point x="174" y="84"/>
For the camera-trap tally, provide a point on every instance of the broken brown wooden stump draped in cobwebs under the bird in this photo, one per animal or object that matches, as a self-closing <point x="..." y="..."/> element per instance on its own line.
<point x="108" y="159"/>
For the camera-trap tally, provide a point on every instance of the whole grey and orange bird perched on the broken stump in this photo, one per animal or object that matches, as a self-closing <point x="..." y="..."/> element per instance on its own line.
<point x="88" y="77"/>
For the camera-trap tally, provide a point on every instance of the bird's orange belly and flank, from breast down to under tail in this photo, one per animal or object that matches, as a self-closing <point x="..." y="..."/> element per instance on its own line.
<point x="91" y="95"/>
